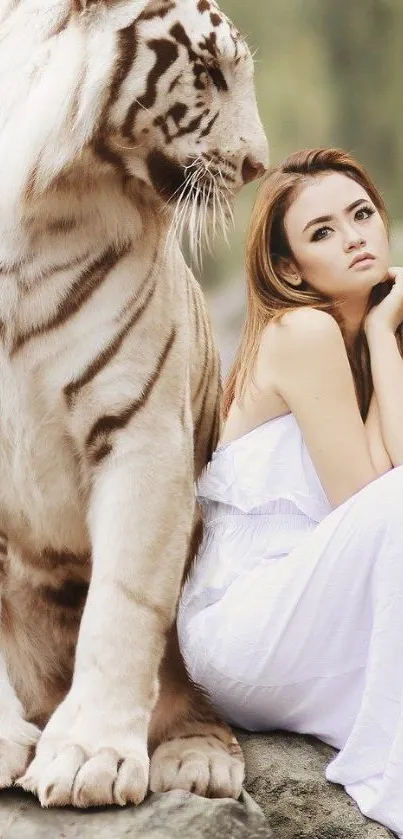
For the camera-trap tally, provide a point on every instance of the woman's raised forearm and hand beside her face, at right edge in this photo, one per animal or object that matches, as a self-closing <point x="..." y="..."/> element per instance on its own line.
<point x="387" y="366"/>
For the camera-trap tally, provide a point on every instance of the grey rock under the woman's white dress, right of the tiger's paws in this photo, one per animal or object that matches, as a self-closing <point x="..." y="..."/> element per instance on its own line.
<point x="285" y="776"/>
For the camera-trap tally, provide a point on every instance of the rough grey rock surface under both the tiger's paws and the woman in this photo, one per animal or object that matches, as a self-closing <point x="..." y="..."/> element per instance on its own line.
<point x="285" y="777"/>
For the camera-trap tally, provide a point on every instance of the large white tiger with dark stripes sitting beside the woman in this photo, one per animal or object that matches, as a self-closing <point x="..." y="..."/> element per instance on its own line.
<point x="115" y="115"/>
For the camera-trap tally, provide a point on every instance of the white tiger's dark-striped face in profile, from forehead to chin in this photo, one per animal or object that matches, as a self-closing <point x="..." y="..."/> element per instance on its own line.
<point x="181" y="112"/>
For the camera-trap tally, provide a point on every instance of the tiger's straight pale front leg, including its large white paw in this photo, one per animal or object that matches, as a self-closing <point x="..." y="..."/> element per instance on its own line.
<point x="93" y="751"/>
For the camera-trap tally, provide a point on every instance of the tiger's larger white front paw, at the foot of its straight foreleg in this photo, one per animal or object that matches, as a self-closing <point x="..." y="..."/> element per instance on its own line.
<point x="88" y="759"/>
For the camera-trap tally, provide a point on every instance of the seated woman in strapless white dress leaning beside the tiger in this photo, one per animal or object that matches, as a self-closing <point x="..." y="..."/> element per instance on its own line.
<point x="293" y="615"/>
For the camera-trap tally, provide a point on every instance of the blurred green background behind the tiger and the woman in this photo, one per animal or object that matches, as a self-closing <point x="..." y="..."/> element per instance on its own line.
<point x="328" y="72"/>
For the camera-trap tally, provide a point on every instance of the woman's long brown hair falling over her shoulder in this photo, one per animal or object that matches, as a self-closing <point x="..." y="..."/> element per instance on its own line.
<point x="269" y="295"/>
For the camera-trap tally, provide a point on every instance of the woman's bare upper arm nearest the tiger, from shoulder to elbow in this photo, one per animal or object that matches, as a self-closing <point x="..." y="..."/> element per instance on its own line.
<point x="308" y="363"/>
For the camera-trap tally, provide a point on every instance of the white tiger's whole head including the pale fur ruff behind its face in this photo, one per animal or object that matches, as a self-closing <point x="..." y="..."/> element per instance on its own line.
<point x="162" y="91"/>
